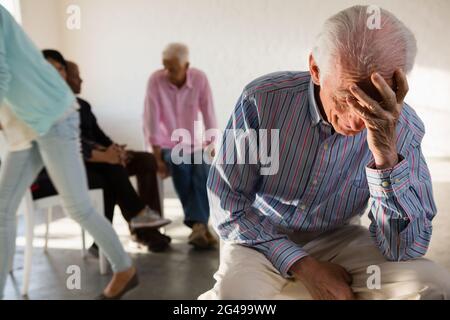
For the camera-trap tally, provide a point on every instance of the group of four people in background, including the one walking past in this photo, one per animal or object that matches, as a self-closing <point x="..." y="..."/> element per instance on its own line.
<point x="54" y="136"/>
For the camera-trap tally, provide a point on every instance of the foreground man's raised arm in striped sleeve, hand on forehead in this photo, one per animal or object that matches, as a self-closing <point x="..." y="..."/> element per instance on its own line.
<point x="402" y="204"/>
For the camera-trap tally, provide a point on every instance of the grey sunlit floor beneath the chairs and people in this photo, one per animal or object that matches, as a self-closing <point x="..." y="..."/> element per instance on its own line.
<point x="181" y="273"/>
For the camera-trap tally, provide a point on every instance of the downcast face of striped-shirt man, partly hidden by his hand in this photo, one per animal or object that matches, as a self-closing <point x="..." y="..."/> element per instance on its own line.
<point x="334" y="89"/>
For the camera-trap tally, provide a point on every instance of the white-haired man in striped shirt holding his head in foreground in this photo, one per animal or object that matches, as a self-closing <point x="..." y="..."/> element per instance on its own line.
<point x="346" y="139"/>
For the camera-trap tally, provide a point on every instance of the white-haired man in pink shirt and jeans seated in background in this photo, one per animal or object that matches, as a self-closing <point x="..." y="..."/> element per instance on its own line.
<point x="176" y="97"/>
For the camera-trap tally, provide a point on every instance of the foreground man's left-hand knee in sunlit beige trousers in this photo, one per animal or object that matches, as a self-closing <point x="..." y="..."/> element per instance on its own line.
<point x="244" y="274"/>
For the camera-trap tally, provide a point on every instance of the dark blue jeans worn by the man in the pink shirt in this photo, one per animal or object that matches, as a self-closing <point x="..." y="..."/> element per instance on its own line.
<point x="190" y="184"/>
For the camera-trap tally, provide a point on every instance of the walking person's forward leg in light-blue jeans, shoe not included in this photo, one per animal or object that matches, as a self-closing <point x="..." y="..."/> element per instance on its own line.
<point x="60" y="152"/>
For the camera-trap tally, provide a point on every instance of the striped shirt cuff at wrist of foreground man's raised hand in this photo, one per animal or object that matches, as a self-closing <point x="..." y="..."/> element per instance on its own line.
<point x="386" y="183"/>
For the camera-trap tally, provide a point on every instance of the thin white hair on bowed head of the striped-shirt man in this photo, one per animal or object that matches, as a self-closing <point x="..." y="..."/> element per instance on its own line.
<point x="351" y="40"/>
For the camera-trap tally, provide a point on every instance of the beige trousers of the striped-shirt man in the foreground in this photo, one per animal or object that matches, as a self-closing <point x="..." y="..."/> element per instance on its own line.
<point x="246" y="274"/>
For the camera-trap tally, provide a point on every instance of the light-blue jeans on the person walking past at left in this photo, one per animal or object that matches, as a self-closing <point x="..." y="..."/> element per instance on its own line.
<point x="59" y="152"/>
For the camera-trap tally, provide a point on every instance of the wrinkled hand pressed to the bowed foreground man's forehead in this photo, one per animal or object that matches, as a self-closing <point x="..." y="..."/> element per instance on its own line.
<point x="380" y="118"/>
